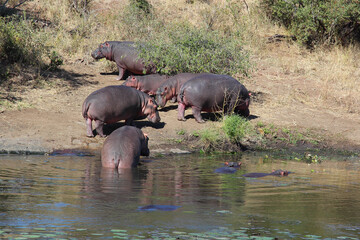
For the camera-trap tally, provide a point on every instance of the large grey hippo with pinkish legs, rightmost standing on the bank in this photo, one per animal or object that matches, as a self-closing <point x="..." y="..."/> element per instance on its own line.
<point x="212" y="92"/>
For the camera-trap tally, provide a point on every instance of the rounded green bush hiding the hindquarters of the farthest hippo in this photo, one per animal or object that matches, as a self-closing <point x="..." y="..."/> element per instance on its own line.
<point x="182" y="48"/>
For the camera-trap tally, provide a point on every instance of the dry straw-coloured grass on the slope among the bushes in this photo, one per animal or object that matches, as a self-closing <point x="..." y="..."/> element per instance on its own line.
<point x="321" y="77"/>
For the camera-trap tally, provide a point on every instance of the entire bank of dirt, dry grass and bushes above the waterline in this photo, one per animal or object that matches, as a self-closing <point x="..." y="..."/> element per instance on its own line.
<point x="303" y="79"/>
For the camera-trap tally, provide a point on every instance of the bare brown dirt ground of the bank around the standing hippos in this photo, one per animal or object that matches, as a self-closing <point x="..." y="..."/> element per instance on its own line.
<point x="53" y="117"/>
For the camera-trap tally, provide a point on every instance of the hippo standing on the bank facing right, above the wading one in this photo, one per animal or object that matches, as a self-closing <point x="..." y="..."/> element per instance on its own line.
<point x="114" y="103"/>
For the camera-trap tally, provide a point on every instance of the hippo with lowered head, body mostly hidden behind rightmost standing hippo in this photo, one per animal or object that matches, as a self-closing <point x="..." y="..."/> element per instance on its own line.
<point x="171" y="87"/>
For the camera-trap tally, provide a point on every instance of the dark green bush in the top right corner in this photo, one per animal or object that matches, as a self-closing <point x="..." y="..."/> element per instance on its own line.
<point x="317" y="21"/>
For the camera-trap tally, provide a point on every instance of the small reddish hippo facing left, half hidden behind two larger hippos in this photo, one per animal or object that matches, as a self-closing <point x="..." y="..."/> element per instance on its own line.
<point x="146" y="83"/>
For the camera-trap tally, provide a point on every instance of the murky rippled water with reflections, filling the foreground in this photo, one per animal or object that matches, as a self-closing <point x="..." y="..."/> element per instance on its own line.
<point x="73" y="197"/>
